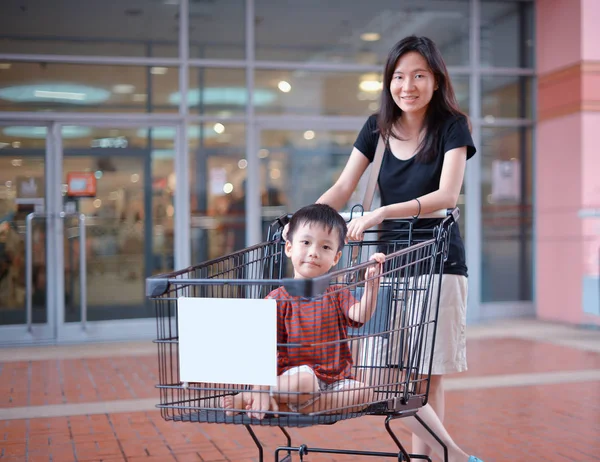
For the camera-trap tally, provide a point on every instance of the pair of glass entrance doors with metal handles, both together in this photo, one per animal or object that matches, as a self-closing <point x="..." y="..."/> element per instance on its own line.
<point x="86" y="215"/>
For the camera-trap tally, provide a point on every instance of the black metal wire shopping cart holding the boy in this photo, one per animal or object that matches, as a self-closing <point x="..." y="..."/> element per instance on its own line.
<point x="391" y="353"/>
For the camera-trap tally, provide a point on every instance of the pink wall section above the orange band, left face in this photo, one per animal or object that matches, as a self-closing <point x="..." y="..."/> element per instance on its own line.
<point x="558" y="39"/>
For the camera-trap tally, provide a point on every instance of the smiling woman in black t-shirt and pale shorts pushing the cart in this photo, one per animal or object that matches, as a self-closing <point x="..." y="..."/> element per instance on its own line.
<point x="428" y="142"/>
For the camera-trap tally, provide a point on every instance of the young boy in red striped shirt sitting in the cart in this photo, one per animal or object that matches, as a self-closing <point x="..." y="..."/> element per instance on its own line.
<point x="315" y="375"/>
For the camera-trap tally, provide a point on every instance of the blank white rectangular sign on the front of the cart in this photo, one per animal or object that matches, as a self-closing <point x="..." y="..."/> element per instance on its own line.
<point x="227" y="340"/>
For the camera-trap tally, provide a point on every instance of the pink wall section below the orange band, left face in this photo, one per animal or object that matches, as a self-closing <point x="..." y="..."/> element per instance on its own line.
<point x="558" y="228"/>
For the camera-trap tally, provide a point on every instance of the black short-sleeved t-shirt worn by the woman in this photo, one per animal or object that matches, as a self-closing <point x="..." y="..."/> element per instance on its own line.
<point x="405" y="180"/>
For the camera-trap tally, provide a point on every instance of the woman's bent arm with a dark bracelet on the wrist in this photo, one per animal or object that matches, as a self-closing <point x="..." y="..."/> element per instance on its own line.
<point x="453" y="171"/>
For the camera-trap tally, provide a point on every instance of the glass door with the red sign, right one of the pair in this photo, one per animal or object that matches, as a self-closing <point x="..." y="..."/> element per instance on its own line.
<point x="120" y="183"/>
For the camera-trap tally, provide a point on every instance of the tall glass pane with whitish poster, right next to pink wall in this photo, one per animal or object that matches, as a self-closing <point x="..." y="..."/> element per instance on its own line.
<point x="507" y="215"/>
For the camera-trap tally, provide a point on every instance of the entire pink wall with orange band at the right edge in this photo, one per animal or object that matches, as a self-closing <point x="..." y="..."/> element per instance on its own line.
<point x="567" y="156"/>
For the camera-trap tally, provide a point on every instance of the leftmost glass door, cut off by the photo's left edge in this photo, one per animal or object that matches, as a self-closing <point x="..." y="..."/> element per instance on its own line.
<point x="25" y="316"/>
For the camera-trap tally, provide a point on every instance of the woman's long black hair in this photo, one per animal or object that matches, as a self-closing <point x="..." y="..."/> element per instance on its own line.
<point x="443" y="103"/>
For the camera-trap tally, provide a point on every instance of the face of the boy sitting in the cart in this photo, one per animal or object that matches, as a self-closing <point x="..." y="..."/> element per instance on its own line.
<point x="314" y="250"/>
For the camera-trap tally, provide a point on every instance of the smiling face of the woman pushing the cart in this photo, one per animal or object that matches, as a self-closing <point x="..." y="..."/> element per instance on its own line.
<point x="412" y="84"/>
